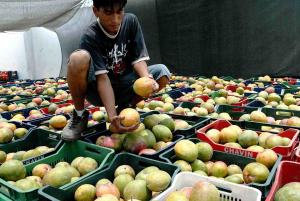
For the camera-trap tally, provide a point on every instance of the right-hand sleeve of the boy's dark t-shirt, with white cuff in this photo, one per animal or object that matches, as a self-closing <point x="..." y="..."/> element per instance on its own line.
<point x="140" y="52"/>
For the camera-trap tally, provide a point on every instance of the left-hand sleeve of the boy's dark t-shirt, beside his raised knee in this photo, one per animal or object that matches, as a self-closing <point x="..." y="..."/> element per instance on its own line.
<point x="98" y="62"/>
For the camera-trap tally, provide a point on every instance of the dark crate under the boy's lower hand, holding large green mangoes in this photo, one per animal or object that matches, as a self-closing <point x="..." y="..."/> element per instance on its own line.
<point x="93" y="138"/>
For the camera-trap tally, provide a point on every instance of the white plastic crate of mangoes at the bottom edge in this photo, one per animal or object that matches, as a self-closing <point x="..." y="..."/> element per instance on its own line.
<point x="228" y="190"/>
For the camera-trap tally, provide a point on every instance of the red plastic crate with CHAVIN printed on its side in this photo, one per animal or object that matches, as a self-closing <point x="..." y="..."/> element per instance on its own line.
<point x="286" y="151"/>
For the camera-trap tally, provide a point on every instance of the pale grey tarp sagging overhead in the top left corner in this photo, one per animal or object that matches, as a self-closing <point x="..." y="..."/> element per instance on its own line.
<point x="18" y="15"/>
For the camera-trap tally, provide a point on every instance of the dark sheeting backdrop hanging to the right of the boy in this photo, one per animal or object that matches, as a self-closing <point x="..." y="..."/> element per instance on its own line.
<point x="230" y="37"/>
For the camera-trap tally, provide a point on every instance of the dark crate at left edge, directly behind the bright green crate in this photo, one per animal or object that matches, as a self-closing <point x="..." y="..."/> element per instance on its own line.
<point x="34" y="138"/>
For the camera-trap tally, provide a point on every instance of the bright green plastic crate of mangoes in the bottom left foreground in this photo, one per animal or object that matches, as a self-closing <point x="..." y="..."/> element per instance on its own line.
<point x="67" y="152"/>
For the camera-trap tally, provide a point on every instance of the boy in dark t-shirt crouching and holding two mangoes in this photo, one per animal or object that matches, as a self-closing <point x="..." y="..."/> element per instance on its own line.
<point x="111" y="57"/>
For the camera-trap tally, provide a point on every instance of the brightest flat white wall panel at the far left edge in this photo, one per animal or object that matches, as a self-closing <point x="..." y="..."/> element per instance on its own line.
<point x="12" y="53"/>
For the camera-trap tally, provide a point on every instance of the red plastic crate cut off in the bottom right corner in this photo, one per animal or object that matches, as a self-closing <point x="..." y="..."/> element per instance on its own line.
<point x="287" y="172"/>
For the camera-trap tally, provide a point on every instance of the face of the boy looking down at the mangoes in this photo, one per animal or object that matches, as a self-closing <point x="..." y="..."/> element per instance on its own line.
<point x="110" y="18"/>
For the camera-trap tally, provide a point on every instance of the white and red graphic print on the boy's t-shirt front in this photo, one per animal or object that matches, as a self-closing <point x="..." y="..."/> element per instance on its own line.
<point x="115" y="59"/>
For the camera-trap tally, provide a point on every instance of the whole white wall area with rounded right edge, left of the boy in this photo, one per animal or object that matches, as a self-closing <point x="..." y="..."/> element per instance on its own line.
<point x="35" y="53"/>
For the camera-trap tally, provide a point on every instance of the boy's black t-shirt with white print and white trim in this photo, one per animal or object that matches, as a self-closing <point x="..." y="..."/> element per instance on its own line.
<point x="115" y="56"/>
